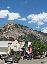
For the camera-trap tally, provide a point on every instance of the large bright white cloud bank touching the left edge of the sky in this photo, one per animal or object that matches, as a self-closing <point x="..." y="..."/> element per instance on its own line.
<point x="11" y="15"/>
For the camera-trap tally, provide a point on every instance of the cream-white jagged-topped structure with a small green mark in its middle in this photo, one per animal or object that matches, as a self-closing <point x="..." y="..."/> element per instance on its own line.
<point x="16" y="46"/>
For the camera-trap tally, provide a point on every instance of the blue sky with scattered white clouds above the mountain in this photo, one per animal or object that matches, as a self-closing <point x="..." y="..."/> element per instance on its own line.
<point x="30" y="13"/>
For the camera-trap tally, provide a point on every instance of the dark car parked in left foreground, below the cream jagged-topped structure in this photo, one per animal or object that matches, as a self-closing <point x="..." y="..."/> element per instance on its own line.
<point x="13" y="58"/>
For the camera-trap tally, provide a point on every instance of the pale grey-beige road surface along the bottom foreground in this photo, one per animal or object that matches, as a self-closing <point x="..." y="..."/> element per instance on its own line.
<point x="33" y="61"/>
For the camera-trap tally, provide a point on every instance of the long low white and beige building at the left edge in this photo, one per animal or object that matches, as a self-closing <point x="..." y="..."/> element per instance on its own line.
<point x="4" y="47"/>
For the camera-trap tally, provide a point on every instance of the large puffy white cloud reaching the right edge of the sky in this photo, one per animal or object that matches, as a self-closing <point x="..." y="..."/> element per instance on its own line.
<point x="38" y="18"/>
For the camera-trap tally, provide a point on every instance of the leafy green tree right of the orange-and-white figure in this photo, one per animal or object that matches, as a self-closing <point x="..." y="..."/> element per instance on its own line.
<point x="38" y="47"/>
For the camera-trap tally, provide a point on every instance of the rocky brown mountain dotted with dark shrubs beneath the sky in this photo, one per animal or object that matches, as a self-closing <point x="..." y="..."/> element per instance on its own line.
<point x="17" y="31"/>
